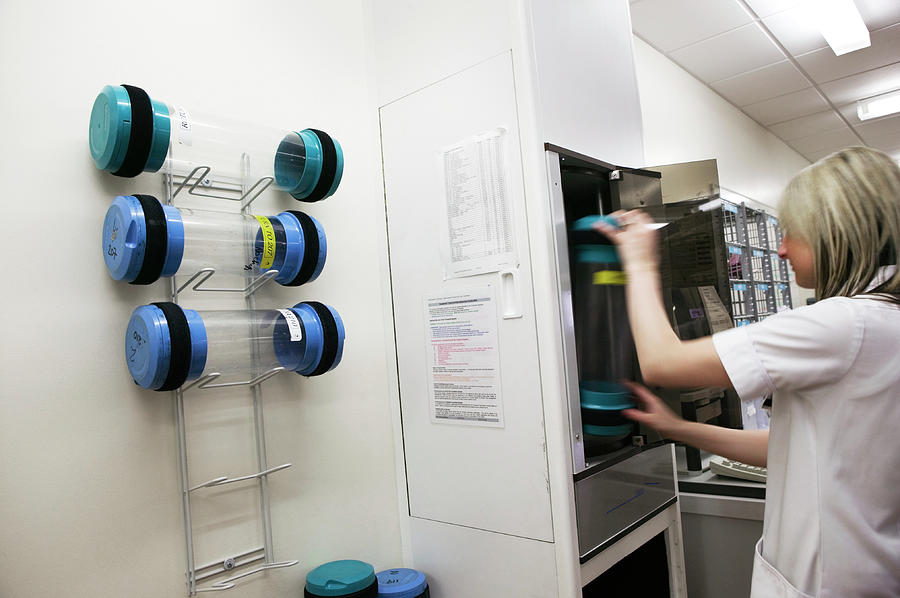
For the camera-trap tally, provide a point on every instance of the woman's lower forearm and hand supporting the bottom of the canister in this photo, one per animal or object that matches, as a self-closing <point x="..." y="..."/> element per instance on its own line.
<point x="746" y="446"/>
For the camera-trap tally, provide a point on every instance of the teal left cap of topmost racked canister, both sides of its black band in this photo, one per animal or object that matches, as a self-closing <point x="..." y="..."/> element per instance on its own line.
<point x="110" y="130"/>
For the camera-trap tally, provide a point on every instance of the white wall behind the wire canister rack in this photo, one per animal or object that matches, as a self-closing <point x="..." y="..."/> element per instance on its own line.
<point x="89" y="494"/>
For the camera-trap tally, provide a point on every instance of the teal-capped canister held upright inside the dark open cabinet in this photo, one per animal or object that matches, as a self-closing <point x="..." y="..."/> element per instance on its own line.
<point x="603" y="338"/>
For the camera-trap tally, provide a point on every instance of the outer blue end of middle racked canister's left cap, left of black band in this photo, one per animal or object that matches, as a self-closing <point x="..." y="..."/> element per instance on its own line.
<point x="124" y="238"/>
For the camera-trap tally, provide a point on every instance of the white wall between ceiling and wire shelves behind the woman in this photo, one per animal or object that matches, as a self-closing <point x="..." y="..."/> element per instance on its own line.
<point x="685" y="121"/>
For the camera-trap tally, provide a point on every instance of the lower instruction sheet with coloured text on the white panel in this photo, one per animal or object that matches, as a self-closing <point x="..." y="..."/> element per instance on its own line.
<point x="463" y="358"/>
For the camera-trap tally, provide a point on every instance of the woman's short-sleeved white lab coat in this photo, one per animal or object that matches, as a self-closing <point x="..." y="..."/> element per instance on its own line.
<point x="832" y="520"/>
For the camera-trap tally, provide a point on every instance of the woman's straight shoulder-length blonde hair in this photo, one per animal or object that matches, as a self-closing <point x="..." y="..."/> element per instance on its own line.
<point x="846" y="207"/>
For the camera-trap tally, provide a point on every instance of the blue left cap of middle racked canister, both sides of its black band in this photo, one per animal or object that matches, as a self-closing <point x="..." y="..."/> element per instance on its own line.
<point x="124" y="240"/>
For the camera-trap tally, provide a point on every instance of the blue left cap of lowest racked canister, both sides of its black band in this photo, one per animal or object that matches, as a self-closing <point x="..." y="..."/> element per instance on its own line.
<point x="148" y="346"/>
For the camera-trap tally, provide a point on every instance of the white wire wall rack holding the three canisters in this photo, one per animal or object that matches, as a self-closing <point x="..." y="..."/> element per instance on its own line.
<point x="244" y="562"/>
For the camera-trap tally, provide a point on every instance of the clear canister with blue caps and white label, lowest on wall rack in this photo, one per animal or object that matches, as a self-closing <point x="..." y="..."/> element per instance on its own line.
<point x="167" y="345"/>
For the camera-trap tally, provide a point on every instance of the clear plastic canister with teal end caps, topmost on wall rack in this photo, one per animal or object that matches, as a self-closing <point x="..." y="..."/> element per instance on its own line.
<point x="132" y="133"/>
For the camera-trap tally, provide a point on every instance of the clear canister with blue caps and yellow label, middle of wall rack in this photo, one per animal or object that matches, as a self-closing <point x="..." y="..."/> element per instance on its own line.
<point x="144" y="240"/>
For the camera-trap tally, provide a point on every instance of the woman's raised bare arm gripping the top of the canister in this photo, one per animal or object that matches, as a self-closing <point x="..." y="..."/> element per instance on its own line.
<point x="665" y="359"/>
